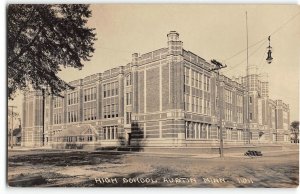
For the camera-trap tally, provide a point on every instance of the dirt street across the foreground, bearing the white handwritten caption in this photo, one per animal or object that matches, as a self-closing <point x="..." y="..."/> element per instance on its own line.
<point x="106" y="169"/>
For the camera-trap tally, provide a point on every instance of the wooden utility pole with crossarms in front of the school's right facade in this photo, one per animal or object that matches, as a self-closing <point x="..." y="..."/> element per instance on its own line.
<point x="220" y="101"/>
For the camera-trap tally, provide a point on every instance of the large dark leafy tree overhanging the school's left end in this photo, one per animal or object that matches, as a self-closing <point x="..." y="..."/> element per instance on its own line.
<point x="43" y="38"/>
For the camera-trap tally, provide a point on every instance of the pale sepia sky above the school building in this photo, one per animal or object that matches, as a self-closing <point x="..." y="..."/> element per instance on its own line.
<point x="210" y="31"/>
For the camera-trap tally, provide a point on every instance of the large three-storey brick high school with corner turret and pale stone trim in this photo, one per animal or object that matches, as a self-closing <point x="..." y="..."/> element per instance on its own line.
<point x="167" y="97"/>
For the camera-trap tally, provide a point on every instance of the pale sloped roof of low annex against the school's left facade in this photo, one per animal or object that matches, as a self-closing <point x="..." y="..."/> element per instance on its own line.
<point x="76" y="130"/>
